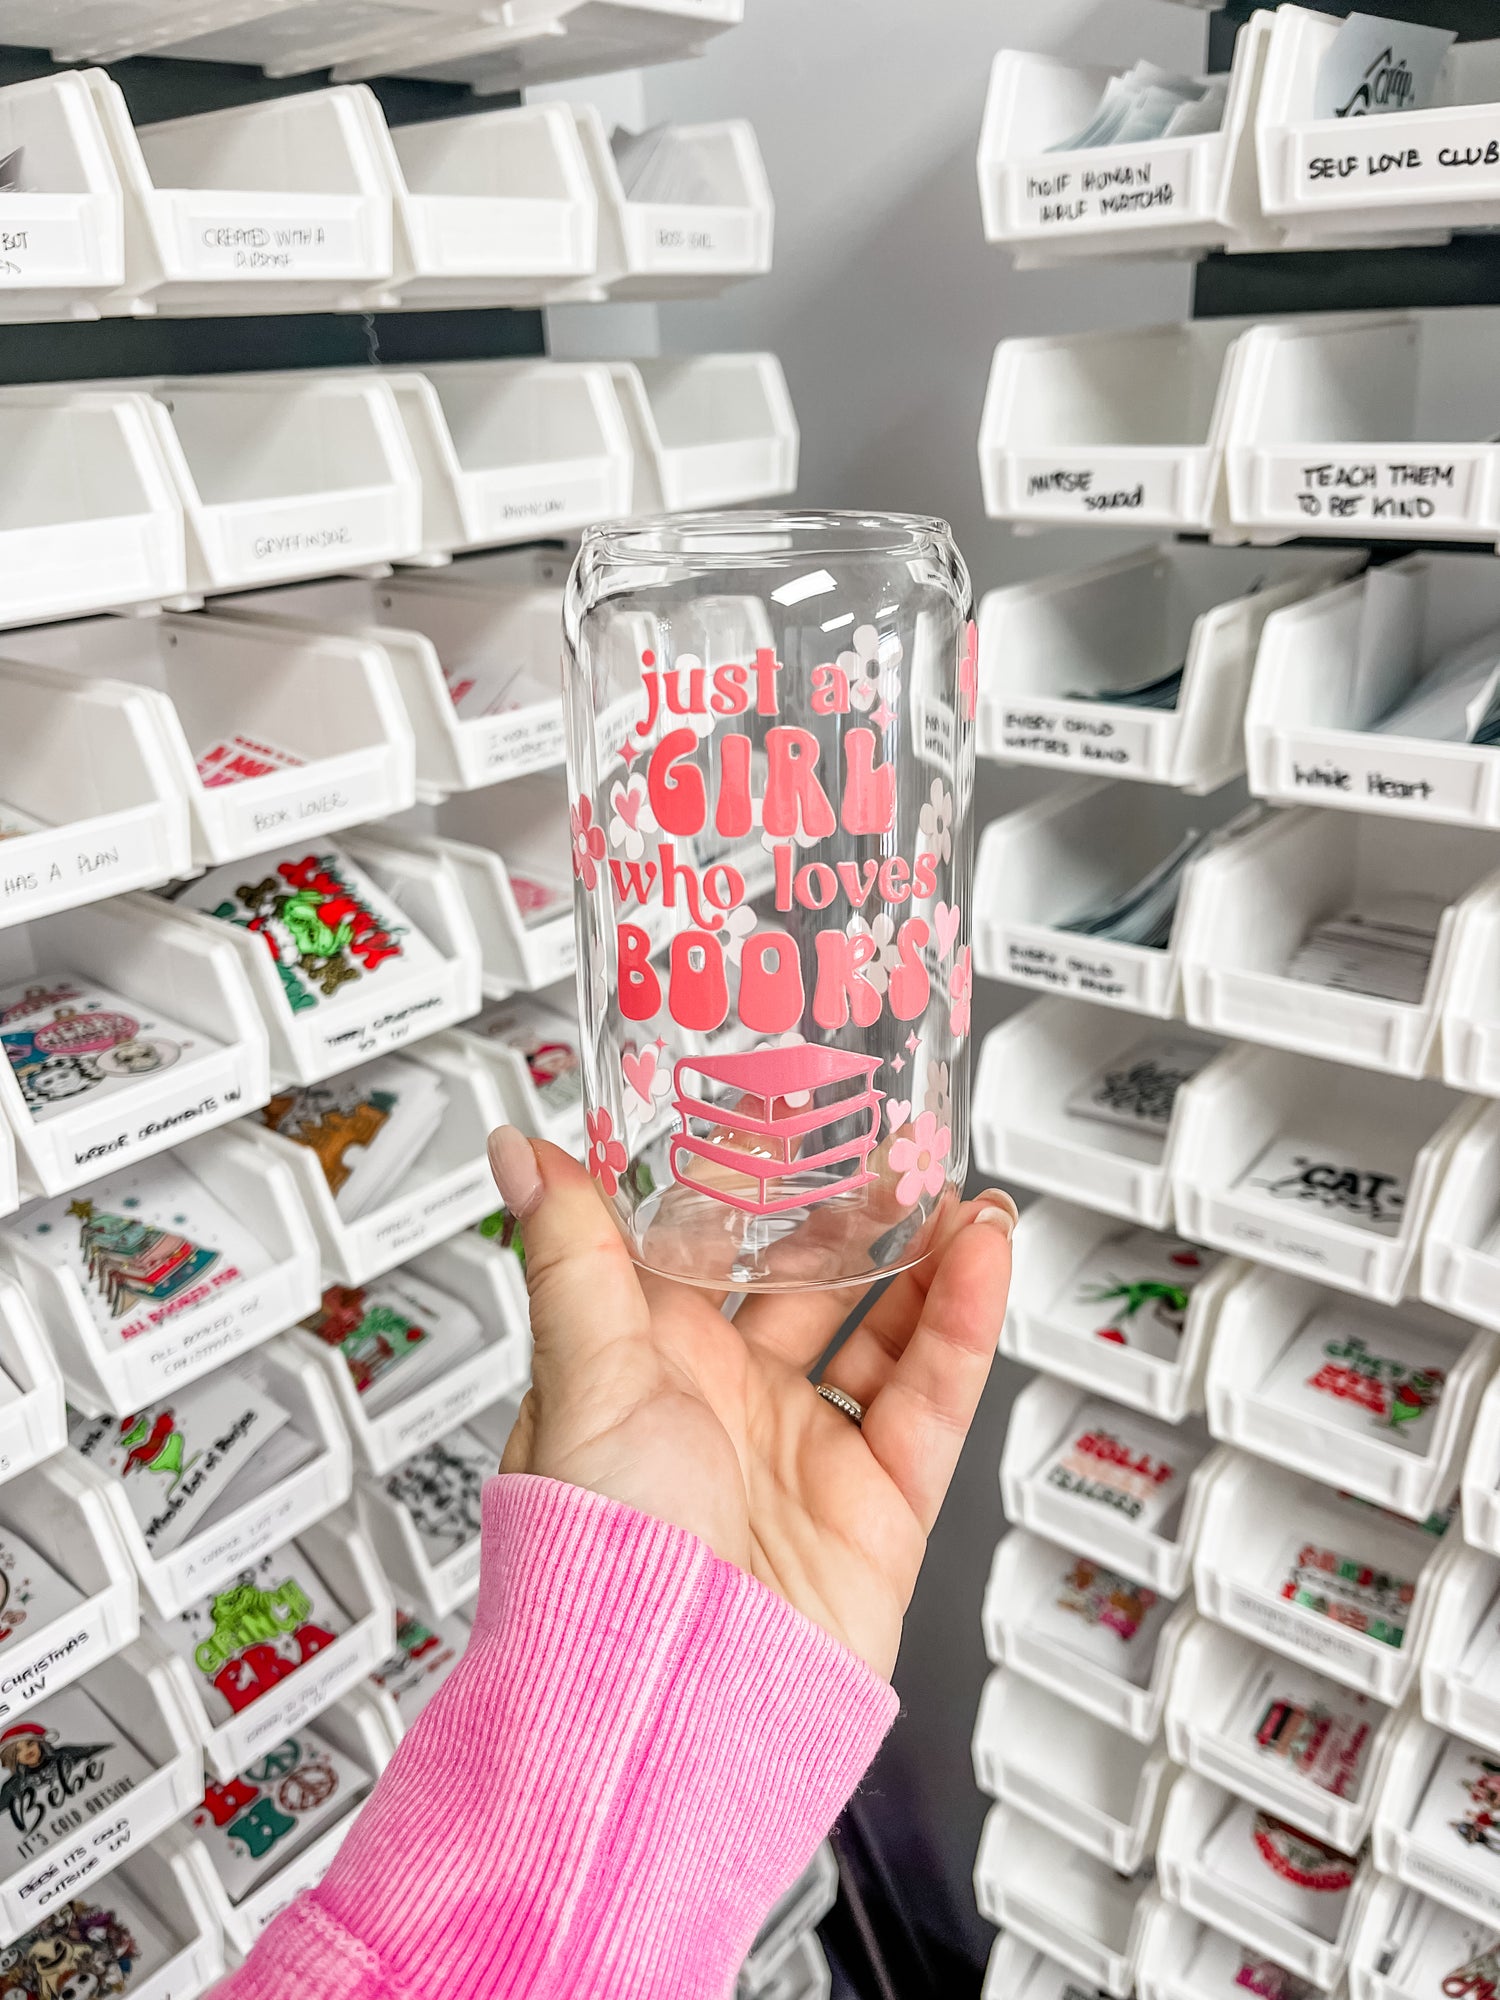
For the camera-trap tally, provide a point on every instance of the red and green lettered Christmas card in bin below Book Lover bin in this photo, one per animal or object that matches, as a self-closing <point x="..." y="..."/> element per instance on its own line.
<point x="321" y="925"/>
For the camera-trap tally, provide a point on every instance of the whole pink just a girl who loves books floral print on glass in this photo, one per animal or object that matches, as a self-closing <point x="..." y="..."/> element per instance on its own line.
<point x="779" y="1121"/>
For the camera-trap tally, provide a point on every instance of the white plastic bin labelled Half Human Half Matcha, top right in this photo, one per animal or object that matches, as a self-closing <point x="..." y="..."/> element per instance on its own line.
<point x="1047" y="201"/>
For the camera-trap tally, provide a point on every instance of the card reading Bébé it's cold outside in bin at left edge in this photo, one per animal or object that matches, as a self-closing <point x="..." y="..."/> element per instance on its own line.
<point x="59" y="1767"/>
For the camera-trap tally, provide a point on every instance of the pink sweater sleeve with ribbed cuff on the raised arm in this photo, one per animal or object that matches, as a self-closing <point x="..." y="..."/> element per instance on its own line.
<point x="635" y="1761"/>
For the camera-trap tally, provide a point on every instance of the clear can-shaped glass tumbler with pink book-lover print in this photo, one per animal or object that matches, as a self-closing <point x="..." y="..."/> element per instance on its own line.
<point x="771" y="751"/>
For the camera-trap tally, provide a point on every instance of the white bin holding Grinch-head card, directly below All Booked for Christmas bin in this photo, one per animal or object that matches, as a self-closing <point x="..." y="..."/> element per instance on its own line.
<point x="209" y="1559"/>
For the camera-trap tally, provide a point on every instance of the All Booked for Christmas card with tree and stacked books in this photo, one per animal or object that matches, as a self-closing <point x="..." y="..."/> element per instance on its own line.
<point x="145" y="1247"/>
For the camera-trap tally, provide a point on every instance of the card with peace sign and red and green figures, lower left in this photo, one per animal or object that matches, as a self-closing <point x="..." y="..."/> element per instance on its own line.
<point x="277" y="1807"/>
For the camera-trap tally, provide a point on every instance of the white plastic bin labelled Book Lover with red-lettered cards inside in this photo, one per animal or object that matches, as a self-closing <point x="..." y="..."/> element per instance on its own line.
<point x="265" y="733"/>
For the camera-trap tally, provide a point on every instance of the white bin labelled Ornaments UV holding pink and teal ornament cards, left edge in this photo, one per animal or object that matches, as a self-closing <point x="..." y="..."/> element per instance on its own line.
<point x="133" y="949"/>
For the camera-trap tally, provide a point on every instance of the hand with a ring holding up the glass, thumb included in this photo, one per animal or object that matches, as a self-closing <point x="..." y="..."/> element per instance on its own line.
<point x="643" y="1391"/>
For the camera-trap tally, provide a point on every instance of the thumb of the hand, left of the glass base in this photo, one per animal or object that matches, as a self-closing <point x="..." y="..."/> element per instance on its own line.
<point x="579" y="1275"/>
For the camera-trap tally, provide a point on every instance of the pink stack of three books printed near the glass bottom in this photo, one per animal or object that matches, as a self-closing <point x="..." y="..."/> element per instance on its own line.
<point x="759" y="1153"/>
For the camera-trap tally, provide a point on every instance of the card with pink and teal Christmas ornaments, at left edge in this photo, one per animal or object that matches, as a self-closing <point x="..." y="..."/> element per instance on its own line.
<point x="65" y="1041"/>
